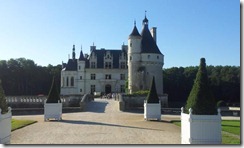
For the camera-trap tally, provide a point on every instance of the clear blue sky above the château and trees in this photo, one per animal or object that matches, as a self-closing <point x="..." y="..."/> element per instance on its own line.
<point x="45" y="30"/>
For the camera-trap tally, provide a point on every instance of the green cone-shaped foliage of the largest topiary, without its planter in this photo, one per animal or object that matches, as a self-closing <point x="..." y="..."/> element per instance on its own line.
<point x="201" y="99"/>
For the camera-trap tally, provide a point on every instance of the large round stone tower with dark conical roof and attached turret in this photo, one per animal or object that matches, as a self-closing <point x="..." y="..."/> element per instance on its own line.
<point x="145" y="60"/>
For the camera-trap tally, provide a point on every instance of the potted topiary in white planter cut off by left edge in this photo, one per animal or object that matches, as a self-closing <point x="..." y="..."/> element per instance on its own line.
<point x="5" y="118"/>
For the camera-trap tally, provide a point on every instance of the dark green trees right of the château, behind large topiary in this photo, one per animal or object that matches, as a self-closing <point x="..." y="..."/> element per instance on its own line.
<point x="224" y="83"/>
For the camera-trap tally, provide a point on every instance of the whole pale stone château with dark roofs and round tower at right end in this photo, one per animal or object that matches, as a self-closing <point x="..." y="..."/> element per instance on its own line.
<point x="106" y="71"/>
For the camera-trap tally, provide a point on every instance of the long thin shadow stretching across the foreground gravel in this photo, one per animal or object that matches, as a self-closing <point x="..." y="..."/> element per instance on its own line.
<point x="104" y="124"/>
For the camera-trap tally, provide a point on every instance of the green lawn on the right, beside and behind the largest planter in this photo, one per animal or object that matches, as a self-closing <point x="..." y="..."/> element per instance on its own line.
<point x="229" y="126"/>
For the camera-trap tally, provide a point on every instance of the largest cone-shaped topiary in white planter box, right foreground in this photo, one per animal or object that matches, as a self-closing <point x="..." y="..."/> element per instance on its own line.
<point x="200" y="121"/>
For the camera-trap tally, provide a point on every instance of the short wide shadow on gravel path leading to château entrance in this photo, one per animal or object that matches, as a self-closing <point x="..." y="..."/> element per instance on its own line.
<point x="97" y="107"/>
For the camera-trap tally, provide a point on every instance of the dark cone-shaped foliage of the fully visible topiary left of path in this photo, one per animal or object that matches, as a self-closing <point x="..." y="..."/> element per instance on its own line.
<point x="53" y="96"/>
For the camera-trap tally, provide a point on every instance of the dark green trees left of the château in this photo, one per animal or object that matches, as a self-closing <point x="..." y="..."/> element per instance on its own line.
<point x="24" y="77"/>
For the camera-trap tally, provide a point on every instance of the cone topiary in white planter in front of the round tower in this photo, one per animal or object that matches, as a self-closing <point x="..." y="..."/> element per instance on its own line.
<point x="152" y="105"/>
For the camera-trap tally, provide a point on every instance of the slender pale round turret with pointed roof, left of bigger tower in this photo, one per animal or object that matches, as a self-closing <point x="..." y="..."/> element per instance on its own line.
<point x="134" y="58"/>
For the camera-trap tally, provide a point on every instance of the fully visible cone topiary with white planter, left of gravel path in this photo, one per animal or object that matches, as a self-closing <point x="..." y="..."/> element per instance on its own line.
<point x="53" y="105"/>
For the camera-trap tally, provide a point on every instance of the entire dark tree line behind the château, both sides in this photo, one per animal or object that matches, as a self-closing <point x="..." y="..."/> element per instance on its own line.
<point x="23" y="77"/>
